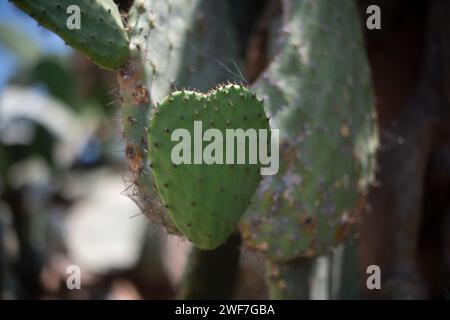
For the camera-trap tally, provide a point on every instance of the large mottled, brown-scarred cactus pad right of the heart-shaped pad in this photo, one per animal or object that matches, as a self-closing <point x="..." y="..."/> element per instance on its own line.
<point x="318" y="94"/>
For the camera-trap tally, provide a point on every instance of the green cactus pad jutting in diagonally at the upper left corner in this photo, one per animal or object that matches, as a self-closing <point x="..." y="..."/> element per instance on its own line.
<point x="101" y="36"/>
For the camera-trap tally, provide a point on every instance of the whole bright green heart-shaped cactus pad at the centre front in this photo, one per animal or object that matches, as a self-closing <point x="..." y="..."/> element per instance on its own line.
<point x="206" y="192"/>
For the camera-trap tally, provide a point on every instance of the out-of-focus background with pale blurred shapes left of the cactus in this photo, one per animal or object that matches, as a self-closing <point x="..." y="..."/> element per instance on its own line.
<point x="63" y="177"/>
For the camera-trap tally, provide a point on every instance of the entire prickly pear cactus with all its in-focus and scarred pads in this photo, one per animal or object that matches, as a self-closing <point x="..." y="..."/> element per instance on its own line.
<point x="317" y="92"/>
